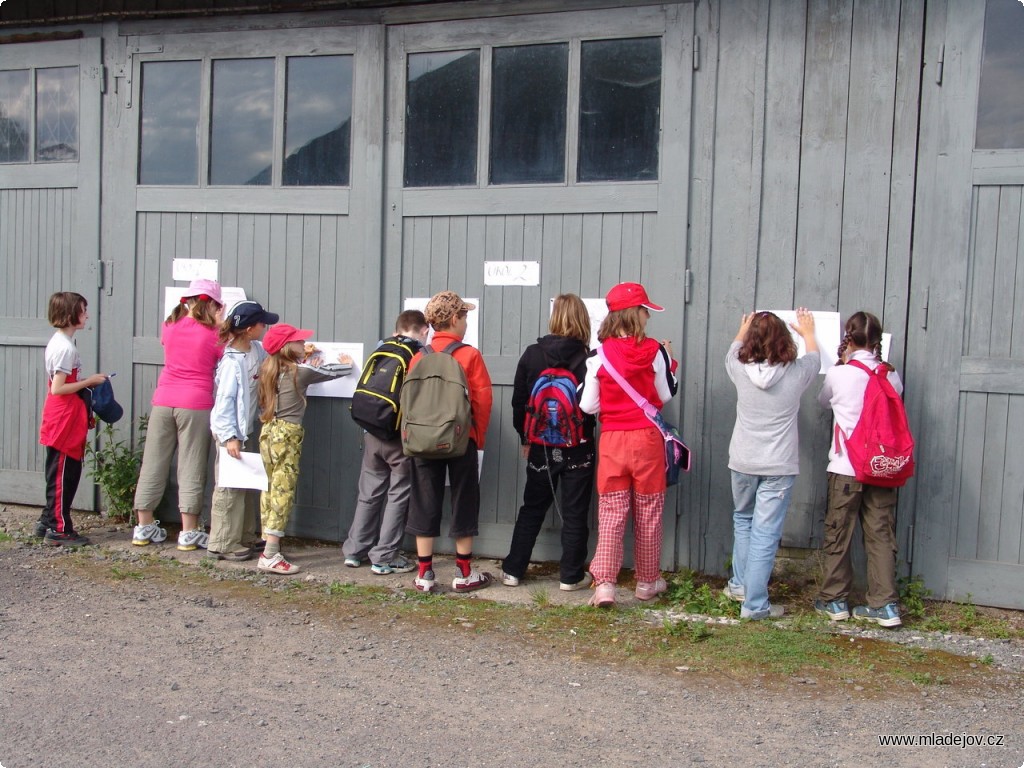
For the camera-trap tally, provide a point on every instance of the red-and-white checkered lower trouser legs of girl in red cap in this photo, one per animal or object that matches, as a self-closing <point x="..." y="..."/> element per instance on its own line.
<point x="613" y="513"/>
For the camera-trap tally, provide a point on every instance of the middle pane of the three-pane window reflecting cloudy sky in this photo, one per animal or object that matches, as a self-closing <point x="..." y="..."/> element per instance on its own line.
<point x="242" y="122"/>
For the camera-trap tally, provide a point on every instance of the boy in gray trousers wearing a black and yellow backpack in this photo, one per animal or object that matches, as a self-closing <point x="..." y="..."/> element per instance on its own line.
<point x="386" y="478"/>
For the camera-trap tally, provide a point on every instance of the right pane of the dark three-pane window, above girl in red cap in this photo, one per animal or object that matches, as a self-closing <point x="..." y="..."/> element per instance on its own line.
<point x="620" y="110"/>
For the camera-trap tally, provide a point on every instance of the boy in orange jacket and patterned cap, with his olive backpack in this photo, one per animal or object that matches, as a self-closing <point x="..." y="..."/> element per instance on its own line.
<point x="443" y="436"/>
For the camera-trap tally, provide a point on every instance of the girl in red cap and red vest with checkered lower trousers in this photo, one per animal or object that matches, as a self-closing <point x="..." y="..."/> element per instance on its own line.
<point x="631" y="463"/>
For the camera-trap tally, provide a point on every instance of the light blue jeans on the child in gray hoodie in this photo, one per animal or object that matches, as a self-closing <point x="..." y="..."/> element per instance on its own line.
<point x="760" y="505"/>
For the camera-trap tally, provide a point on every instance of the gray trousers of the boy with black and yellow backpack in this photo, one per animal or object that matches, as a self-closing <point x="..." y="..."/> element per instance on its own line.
<point x="386" y="481"/>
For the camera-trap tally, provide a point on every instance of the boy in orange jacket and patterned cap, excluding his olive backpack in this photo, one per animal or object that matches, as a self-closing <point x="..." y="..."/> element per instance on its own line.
<point x="447" y="314"/>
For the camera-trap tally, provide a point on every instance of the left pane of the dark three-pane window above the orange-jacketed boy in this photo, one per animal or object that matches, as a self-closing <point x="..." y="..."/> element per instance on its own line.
<point x="442" y="115"/>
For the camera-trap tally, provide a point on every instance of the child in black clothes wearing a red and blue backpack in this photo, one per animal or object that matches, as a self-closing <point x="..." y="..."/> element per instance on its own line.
<point x="558" y="441"/>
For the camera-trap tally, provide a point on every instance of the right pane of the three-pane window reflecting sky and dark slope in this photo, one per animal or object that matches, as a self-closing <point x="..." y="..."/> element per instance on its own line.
<point x="318" y="121"/>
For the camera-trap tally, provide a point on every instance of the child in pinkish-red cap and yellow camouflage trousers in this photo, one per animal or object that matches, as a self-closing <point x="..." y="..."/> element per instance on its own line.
<point x="283" y="382"/>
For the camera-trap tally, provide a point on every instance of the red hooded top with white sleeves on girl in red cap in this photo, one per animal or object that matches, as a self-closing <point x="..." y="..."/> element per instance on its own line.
<point x="642" y="365"/>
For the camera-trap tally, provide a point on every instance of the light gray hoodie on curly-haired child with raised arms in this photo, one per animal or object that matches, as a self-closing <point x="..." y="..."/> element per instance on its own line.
<point x="764" y="440"/>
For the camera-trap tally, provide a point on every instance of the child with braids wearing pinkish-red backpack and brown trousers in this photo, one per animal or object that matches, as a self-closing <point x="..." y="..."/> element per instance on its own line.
<point x="864" y="395"/>
